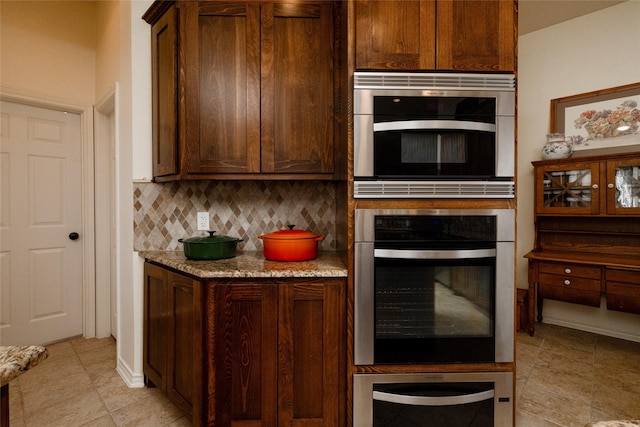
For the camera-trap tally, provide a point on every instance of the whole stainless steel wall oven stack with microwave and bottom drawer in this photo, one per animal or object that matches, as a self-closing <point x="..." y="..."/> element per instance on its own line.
<point x="433" y="286"/>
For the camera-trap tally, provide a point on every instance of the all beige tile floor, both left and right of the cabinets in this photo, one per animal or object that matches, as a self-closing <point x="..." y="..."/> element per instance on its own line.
<point x="565" y="378"/>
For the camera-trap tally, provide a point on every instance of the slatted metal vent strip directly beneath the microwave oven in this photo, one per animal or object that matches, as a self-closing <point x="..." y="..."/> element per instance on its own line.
<point x="434" y="189"/>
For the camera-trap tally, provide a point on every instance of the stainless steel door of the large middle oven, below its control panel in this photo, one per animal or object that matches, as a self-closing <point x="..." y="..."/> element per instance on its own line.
<point x="418" y="306"/>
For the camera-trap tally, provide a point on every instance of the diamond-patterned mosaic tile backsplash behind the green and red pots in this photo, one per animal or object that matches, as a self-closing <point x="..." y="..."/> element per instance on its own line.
<point x="166" y="212"/>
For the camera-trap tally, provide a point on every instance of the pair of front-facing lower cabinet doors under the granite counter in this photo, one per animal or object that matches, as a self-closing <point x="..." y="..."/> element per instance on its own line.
<point x="279" y="354"/>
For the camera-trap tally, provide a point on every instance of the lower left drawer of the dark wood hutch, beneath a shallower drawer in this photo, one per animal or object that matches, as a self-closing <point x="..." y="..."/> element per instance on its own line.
<point x="574" y="290"/>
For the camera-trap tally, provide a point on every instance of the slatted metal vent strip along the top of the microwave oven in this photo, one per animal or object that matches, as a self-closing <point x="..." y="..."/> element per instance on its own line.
<point x="386" y="80"/>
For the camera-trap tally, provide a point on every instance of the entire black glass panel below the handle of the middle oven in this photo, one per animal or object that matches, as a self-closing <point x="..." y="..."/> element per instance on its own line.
<point x="434" y="310"/>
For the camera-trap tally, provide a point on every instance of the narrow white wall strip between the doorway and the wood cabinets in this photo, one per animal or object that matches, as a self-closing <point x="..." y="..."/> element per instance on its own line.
<point x="134" y="163"/>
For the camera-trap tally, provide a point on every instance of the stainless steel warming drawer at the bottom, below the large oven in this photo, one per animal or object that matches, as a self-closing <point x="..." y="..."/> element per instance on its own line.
<point x="482" y="399"/>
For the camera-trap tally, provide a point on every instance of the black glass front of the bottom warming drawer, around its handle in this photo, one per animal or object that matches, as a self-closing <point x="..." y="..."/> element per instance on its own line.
<point x="472" y="414"/>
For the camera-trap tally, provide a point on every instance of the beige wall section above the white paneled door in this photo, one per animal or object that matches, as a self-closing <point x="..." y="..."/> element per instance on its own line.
<point x="47" y="49"/>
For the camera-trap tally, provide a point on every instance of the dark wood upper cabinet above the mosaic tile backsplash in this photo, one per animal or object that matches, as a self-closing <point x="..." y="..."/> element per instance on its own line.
<point x="257" y="93"/>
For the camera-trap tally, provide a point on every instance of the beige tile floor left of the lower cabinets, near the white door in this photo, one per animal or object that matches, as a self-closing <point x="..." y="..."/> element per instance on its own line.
<point x="77" y="385"/>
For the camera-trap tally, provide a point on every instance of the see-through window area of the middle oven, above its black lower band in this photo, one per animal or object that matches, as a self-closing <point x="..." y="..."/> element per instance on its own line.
<point x="421" y="301"/>
